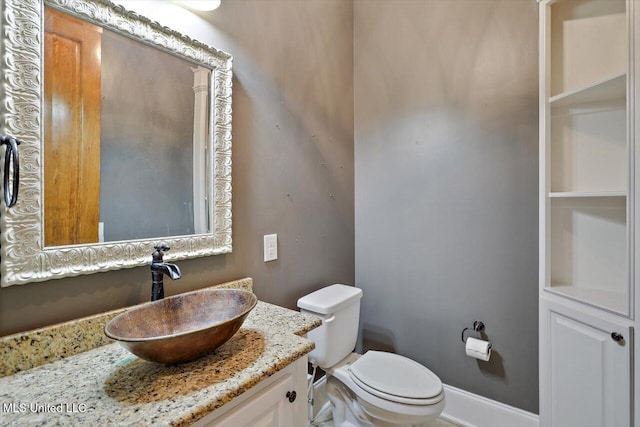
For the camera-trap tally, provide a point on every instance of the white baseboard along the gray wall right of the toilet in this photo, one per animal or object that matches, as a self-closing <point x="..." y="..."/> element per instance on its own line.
<point x="471" y="410"/>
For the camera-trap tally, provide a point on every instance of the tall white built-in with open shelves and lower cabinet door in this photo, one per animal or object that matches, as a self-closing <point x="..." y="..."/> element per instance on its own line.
<point x="588" y="197"/>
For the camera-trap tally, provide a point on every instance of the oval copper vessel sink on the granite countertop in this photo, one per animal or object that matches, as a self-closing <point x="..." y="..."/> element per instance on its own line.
<point x="182" y="327"/>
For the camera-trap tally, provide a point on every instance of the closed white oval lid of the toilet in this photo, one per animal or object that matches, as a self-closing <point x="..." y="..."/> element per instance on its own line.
<point x="395" y="375"/>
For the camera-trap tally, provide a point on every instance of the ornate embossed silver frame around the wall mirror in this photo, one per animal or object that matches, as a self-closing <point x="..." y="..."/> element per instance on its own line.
<point x="25" y="258"/>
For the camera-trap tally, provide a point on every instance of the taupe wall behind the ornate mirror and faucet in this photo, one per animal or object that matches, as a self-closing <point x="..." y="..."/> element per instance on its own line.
<point x="292" y="163"/>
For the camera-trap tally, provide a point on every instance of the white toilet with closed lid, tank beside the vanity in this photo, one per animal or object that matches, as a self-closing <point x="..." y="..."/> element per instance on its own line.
<point x="376" y="389"/>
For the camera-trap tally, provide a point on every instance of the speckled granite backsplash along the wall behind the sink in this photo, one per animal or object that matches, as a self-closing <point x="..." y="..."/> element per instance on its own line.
<point x="29" y="349"/>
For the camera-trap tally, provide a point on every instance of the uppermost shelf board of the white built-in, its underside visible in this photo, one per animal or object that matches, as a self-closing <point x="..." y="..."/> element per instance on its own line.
<point x="612" y="87"/>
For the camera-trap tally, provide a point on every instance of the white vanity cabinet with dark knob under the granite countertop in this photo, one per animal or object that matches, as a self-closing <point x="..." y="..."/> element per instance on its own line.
<point x="270" y="403"/>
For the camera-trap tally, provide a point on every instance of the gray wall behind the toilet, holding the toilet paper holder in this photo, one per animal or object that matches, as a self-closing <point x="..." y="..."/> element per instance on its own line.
<point x="446" y="186"/>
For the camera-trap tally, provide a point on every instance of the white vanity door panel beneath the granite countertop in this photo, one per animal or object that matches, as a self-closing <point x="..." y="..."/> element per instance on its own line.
<point x="270" y="408"/>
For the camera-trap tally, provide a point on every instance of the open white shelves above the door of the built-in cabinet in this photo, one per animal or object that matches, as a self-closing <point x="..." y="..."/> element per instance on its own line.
<point x="587" y="154"/>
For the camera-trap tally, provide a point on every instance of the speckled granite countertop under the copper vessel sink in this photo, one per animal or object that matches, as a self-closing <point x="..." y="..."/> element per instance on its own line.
<point x="108" y="385"/>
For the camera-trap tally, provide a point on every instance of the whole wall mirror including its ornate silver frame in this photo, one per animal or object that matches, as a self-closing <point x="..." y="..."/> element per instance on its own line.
<point x="125" y="130"/>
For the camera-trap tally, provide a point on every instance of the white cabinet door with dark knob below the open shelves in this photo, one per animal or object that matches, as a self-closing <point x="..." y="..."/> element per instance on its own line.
<point x="585" y="373"/>
